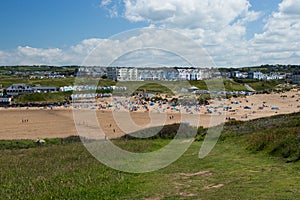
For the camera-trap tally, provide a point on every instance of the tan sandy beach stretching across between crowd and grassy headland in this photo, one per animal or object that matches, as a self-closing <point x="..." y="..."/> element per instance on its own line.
<point x="34" y="123"/>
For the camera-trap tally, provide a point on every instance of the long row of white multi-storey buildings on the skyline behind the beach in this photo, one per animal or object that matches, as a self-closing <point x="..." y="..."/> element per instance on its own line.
<point x="161" y="74"/>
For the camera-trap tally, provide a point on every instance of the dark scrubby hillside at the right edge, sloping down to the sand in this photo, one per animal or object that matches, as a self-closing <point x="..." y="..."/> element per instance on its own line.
<point x="277" y="136"/>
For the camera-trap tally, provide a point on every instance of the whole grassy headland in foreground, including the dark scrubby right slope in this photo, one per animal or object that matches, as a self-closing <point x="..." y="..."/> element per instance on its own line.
<point x="235" y="169"/>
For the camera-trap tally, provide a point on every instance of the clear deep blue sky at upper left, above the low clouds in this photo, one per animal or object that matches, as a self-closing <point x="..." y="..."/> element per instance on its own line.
<point x="55" y="23"/>
